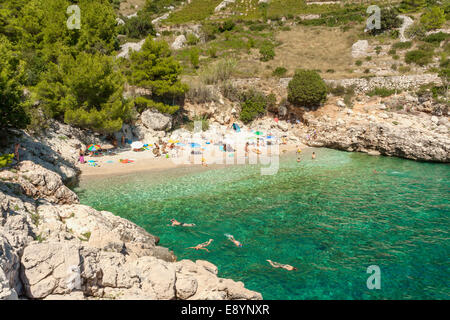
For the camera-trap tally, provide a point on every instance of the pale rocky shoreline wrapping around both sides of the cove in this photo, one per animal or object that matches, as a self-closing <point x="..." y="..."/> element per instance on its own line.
<point x="52" y="247"/>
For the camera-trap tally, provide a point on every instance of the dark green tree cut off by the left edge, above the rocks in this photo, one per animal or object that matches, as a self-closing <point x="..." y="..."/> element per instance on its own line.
<point x="12" y="112"/>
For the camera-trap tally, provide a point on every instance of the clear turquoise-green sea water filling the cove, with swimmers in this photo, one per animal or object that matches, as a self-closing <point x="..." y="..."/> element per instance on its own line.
<point x="331" y="218"/>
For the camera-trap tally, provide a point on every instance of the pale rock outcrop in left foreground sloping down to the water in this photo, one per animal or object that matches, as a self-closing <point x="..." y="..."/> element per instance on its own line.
<point x="52" y="247"/>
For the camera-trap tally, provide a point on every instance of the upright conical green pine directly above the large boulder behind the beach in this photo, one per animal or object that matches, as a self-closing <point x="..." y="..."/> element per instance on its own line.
<point x="154" y="68"/>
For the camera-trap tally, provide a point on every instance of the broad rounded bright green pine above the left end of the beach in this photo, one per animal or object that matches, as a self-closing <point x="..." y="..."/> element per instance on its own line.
<point x="85" y="91"/>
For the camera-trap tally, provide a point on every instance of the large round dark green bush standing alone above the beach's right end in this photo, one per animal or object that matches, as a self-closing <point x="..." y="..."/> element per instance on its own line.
<point x="307" y="89"/>
